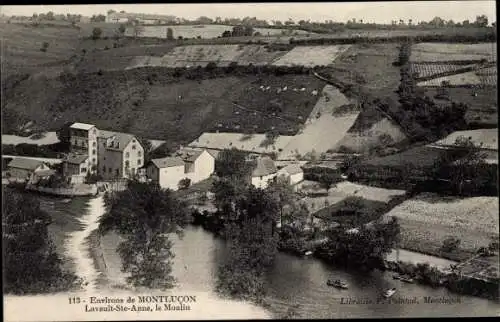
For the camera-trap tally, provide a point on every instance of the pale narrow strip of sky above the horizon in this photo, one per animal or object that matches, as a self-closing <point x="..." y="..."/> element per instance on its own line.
<point x="379" y="12"/>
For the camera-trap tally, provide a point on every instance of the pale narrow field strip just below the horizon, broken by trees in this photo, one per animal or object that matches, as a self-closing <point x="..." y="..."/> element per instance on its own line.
<point x="205" y="31"/>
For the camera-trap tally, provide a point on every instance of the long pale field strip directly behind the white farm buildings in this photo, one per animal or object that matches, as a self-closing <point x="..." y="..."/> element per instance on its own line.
<point x="252" y="143"/>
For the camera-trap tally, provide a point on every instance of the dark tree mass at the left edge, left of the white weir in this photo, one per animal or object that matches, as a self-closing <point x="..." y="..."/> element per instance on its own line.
<point x="30" y="262"/>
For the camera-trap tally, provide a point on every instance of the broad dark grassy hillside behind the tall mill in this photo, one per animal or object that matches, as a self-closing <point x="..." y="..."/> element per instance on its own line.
<point x="126" y="101"/>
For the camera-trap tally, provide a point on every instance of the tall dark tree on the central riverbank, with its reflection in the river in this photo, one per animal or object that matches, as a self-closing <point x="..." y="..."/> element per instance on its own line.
<point x="252" y="238"/>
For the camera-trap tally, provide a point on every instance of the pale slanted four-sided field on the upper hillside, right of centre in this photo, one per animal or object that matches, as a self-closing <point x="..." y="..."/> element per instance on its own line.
<point x="311" y="56"/>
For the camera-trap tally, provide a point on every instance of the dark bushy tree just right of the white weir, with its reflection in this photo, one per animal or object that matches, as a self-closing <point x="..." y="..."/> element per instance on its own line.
<point x="145" y="214"/>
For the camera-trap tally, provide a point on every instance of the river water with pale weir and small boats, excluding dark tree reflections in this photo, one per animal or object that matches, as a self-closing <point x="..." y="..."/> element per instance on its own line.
<point x="294" y="284"/>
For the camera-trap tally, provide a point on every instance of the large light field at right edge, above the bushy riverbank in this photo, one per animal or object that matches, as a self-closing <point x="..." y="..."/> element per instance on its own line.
<point x="427" y="220"/>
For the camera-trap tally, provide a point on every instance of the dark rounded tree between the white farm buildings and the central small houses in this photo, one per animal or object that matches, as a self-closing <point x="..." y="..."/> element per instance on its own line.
<point x="232" y="164"/>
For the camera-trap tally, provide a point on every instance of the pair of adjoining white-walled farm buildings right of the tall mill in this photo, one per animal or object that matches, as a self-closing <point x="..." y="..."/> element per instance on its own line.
<point x="194" y="164"/>
